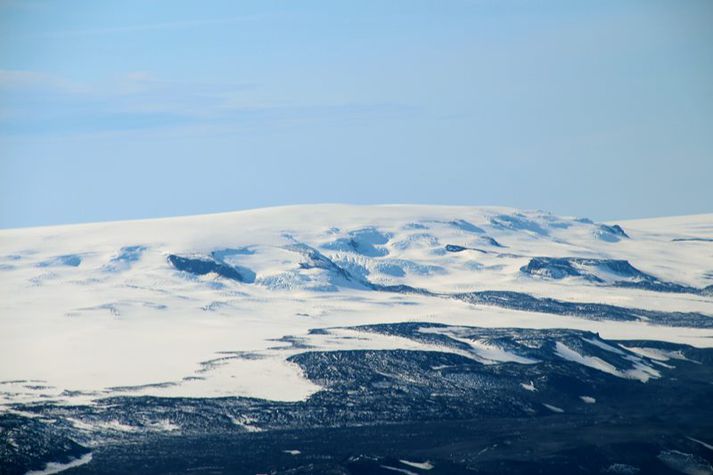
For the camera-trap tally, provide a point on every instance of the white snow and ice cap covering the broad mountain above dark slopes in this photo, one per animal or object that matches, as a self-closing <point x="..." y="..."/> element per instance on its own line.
<point x="171" y="307"/>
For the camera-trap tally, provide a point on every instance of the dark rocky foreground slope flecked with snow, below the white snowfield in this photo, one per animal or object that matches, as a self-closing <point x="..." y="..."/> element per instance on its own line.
<point x="451" y="411"/>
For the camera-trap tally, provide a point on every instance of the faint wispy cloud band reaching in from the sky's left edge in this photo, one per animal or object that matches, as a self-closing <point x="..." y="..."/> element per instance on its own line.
<point x="37" y="104"/>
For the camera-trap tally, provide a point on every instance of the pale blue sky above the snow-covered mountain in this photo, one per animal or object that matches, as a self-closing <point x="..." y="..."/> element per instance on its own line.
<point x="113" y="110"/>
